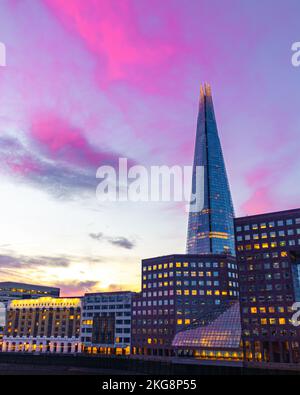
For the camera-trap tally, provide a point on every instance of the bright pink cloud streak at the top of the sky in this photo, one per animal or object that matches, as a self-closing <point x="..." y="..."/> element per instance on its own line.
<point x="110" y="31"/>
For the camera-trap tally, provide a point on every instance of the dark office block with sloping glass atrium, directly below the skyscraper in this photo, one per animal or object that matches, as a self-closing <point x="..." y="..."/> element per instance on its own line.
<point x="181" y="293"/>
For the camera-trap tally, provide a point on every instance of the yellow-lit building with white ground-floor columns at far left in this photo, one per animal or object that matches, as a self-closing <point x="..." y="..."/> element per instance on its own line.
<point x="44" y="325"/>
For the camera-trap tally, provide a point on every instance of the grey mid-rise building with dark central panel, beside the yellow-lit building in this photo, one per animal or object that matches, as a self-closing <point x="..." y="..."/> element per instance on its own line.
<point x="106" y="322"/>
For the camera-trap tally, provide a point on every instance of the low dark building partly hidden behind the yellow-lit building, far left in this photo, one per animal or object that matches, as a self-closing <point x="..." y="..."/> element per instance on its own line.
<point x="12" y="291"/>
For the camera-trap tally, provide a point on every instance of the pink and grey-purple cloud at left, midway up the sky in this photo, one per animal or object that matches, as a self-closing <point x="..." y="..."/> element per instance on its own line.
<point x="55" y="156"/>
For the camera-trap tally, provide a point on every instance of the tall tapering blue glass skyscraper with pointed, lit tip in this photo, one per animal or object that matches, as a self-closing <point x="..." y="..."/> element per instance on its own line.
<point x="211" y="228"/>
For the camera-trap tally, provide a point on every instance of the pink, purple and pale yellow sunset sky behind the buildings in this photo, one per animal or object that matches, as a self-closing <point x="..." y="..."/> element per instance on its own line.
<point x="89" y="81"/>
